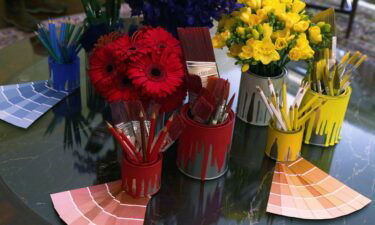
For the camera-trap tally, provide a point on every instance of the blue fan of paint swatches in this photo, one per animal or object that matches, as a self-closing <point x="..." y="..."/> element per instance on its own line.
<point x="22" y="104"/>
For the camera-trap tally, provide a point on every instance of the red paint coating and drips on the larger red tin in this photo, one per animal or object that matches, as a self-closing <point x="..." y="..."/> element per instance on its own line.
<point x="197" y="136"/>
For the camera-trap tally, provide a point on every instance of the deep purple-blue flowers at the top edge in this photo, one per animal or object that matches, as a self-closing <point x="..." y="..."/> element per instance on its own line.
<point x="171" y="14"/>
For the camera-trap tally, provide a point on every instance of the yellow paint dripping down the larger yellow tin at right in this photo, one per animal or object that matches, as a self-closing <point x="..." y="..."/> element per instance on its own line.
<point x="328" y="119"/>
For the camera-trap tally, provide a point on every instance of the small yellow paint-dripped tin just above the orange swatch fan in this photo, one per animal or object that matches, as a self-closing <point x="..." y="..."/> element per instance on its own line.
<point x="283" y="145"/>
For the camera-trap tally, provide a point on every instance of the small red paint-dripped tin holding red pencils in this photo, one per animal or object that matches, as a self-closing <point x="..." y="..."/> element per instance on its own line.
<point x="147" y="175"/>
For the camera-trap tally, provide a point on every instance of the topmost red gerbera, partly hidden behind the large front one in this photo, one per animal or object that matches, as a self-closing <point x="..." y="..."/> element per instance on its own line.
<point x="159" y="39"/>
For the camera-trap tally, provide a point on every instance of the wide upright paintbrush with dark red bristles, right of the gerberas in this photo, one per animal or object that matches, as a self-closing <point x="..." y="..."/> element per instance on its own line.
<point x="198" y="52"/>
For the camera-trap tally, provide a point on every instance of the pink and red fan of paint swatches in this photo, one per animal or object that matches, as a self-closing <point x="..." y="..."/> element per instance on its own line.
<point x="101" y="204"/>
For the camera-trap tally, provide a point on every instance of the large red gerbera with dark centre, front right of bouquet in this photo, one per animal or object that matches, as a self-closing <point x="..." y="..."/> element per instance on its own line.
<point x="157" y="75"/>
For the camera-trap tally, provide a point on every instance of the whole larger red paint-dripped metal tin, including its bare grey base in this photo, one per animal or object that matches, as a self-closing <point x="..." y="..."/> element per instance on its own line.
<point x="203" y="150"/>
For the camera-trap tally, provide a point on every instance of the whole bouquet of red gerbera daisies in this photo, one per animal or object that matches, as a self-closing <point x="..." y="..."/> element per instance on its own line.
<point x="147" y="66"/>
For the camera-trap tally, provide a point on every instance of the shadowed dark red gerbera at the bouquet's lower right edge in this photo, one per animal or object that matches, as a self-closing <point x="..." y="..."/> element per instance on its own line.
<point x="173" y="101"/>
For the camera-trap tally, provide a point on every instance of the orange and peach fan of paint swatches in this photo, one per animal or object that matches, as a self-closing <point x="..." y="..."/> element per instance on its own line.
<point x="300" y="189"/>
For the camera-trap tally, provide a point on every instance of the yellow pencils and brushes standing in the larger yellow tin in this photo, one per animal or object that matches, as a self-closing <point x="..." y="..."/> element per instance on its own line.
<point x="334" y="79"/>
